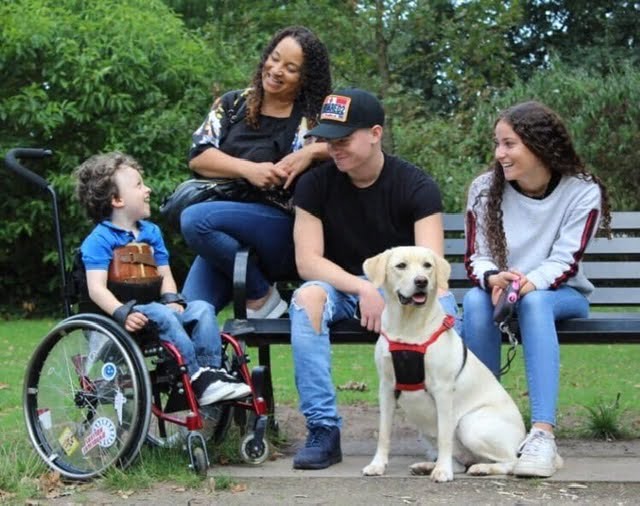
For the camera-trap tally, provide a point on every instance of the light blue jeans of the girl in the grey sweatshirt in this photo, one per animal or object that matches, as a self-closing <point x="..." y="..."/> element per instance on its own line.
<point x="537" y="312"/>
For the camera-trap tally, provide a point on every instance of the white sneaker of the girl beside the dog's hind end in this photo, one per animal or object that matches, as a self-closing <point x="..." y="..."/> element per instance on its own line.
<point x="538" y="455"/>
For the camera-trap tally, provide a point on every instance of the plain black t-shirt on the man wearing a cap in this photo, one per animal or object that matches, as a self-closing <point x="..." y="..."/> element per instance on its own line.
<point x="361" y="222"/>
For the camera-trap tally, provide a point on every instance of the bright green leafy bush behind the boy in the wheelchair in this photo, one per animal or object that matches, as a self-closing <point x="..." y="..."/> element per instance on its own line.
<point x="111" y="75"/>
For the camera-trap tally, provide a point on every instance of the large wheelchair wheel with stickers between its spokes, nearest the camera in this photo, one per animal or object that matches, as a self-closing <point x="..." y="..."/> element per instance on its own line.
<point x="87" y="397"/>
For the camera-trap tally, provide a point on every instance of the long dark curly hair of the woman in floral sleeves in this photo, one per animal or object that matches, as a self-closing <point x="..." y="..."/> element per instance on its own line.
<point x="315" y="75"/>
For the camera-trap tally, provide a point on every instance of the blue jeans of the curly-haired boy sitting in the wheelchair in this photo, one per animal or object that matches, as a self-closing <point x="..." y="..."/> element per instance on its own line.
<point x="203" y="348"/>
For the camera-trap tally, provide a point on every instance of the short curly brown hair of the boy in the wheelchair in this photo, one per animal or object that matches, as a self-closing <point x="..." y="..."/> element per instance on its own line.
<point x="96" y="187"/>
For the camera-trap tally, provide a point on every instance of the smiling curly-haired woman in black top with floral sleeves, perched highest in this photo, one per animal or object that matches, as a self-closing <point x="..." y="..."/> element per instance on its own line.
<point x="257" y="134"/>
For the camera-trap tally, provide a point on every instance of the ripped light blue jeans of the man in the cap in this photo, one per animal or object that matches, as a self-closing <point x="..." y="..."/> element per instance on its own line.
<point x="312" y="353"/>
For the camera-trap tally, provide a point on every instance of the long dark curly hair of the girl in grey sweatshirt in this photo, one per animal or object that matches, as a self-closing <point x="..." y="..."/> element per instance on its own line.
<point x="543" y="132"/>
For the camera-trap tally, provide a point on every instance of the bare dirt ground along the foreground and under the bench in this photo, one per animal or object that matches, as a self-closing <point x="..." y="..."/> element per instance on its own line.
<point x="358" y="436"/>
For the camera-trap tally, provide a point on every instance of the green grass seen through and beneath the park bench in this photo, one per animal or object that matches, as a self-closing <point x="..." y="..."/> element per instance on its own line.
<point x="589" y="376"/>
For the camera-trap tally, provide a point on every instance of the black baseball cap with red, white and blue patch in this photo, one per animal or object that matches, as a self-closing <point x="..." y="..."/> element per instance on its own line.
<point x="347" y="110"/>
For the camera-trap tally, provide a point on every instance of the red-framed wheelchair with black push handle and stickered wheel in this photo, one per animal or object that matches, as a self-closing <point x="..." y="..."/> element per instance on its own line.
<point x="94" y="394"/>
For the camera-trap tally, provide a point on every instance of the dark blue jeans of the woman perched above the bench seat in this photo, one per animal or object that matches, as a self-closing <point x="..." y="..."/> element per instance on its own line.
<point x="217" y="230"/>
